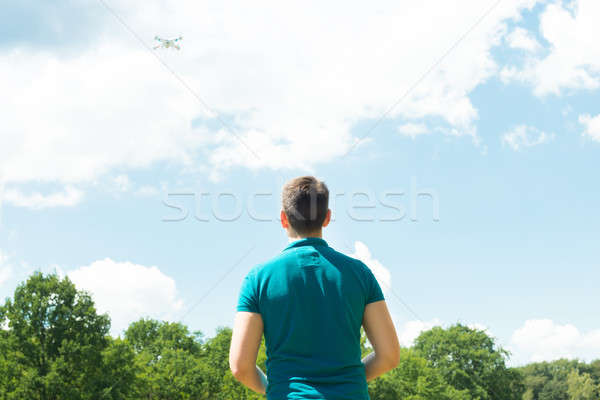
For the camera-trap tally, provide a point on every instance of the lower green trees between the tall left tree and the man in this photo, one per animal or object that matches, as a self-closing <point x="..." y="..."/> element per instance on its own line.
<point x="174" y="364"/>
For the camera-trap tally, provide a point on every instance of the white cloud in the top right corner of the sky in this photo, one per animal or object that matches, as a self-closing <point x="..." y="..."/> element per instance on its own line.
<point x="573" y="60"/>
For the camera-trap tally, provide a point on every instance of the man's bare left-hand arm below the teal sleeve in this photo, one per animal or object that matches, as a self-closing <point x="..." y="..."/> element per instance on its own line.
<point x="245" y="341"/>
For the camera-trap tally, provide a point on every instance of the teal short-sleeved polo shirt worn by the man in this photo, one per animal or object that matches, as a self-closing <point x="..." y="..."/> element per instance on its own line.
<point x="312" y="300"/>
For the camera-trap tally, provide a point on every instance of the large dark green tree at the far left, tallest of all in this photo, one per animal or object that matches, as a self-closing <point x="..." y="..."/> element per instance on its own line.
<point x="55" y="342"/>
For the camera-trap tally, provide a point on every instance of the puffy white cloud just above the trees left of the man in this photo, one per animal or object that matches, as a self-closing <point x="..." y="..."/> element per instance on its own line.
<point x="128" y="291"/>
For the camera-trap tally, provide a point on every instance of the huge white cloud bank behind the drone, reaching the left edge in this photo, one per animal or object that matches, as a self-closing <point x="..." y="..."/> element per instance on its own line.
<point x="290" y="83"/>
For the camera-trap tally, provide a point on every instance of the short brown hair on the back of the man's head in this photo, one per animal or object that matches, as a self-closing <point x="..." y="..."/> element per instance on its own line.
<point x="305" y="202"/>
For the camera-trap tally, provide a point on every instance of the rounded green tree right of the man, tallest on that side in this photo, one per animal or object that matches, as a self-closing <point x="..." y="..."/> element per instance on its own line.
<point x="468" y="359"/>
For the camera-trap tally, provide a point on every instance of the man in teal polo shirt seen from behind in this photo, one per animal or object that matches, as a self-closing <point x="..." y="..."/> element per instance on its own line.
<point x="310" y="301"/>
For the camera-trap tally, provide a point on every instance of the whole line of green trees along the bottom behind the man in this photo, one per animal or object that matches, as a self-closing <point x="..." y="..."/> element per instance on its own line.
<point x="54" y="346"/>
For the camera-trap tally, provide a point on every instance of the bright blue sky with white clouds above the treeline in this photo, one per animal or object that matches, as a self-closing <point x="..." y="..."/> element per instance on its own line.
<point x="459" y="140"/>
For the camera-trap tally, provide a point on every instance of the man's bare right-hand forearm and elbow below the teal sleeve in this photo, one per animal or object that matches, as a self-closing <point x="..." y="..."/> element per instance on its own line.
<point x="382" y="335"/>
